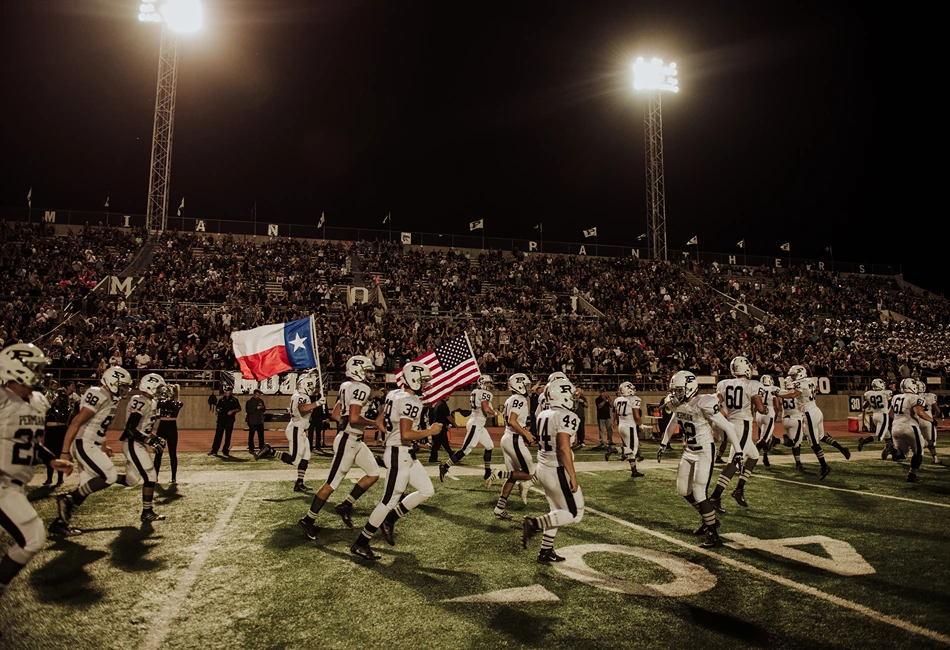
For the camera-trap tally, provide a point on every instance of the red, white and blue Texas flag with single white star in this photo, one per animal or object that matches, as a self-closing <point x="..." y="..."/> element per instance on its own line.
<point x="272" y="349"/>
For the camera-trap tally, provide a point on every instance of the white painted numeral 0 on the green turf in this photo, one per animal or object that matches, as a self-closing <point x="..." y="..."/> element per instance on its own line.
<point x="690" y="579"/>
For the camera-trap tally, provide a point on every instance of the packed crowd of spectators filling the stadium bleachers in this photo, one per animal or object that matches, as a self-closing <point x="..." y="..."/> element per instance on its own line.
<point x="533" y="313"/>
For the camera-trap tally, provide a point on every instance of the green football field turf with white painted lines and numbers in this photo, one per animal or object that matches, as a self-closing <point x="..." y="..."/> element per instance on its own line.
<point x="859" y="560"/>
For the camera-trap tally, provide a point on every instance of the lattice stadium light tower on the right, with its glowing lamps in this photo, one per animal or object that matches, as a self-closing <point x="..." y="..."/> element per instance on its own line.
<point x="654" y="77"/>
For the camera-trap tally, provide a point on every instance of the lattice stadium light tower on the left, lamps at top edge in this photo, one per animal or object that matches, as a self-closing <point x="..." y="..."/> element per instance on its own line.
<point x="175" y="16"/>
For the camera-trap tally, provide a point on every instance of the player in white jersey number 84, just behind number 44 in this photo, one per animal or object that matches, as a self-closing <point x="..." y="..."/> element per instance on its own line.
<point x="514" y="445"/>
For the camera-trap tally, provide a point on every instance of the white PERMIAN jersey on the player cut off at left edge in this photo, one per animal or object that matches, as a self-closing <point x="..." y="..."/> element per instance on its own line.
<point x="21" y="425"/>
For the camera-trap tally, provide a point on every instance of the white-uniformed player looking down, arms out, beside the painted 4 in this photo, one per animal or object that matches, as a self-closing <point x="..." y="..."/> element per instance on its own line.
<point x="696" y="415"/>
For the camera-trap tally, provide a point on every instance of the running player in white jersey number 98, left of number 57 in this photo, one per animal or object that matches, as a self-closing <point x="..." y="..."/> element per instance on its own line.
<point x="86" y="444"/>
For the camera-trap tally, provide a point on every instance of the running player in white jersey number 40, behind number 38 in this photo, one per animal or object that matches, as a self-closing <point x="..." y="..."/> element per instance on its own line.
<point x="348" y="446"/>
